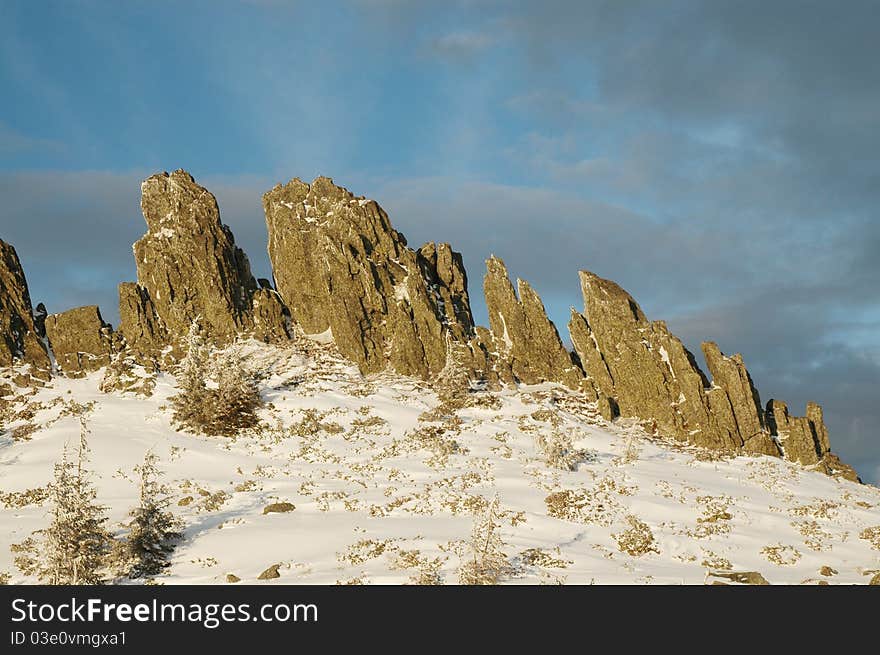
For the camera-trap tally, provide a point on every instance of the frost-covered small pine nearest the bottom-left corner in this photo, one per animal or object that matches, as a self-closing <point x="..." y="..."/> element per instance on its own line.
<point x="72" y="550"/>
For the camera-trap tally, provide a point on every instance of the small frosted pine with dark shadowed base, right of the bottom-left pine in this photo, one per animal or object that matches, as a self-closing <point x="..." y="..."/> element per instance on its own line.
<point x="152" y="530"/>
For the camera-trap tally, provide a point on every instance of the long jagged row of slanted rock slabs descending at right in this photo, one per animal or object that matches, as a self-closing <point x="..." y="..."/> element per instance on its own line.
<point x="636" y="367"/>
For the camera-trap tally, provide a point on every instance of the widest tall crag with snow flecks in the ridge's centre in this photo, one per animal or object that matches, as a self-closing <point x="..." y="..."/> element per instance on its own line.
<point x="343" y="270"/>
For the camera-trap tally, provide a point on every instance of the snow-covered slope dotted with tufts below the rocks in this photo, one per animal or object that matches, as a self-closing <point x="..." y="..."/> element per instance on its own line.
<point x="385" y="489"/>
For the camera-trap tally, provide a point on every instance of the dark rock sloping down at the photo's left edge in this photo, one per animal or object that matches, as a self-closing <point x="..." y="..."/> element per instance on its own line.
<point x="19" y="335"/>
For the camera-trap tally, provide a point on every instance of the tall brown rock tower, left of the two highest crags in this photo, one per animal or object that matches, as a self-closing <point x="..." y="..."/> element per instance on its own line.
<point x="189" y="266"/>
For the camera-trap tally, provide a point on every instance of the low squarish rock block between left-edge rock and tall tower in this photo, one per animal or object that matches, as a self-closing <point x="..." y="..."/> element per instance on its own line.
<point x="80" y="340"/>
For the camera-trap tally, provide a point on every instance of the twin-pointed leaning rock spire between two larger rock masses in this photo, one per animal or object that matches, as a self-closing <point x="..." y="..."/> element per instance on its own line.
<point x="523" y="337"/>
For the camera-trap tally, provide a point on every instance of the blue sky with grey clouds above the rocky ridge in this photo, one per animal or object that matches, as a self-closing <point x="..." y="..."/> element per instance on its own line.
<point x="717" y="159"/>
